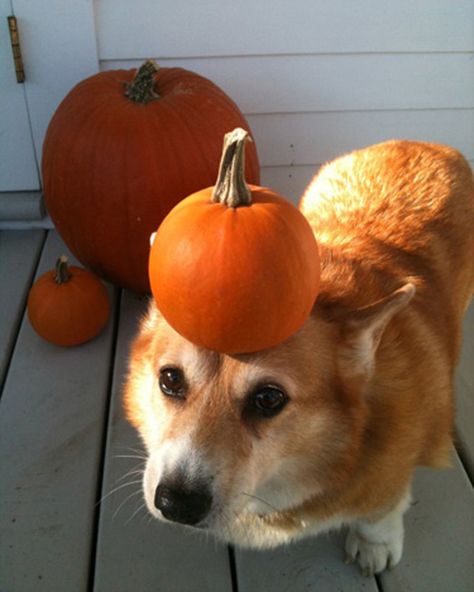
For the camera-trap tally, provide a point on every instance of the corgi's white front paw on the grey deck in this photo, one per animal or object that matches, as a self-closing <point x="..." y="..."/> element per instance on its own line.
<point x="377" y="545"/>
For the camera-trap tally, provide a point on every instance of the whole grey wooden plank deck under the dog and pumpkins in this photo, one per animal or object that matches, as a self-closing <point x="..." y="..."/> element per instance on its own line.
<point x="71" y="514"/>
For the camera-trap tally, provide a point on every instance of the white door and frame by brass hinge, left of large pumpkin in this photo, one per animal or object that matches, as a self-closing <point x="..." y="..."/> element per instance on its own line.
<point x="59" y="48"/>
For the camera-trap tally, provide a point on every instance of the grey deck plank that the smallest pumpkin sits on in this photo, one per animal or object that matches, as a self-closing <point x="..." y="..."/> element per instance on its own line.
<point x="51" y="422"/>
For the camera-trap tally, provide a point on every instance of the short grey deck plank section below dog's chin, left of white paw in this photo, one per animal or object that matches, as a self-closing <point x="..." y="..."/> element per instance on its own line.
<point x="311" y="565"/>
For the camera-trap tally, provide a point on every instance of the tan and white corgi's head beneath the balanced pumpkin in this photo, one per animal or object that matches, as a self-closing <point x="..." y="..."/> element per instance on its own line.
<point x="253" y="432"/>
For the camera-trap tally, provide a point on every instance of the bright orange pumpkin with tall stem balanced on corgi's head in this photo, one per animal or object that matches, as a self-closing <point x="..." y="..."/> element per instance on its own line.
<point x="235" y="268"/>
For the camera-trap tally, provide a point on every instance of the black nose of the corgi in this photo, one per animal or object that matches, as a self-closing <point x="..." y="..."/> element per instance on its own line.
<point x="186" y="506"/>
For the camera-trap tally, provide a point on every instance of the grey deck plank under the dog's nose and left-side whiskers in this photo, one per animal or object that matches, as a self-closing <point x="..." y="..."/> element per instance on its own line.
<point x="134" y="553"/>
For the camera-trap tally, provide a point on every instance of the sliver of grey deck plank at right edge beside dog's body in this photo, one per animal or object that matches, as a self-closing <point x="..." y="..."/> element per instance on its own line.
<point x="465" y="394"/>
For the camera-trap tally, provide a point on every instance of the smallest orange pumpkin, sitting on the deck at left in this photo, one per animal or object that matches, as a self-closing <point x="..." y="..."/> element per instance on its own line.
<point x="68" y="305"/>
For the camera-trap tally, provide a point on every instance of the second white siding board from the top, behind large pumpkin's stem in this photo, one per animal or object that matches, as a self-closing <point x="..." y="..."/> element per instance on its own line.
<point x="343" y="82"/>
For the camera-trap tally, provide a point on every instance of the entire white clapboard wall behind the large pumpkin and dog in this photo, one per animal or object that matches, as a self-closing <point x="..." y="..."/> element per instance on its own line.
<point x="314" y="78"/>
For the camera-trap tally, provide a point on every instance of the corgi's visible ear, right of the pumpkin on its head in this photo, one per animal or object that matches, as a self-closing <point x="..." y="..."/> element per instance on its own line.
<point x="363" y="329"/>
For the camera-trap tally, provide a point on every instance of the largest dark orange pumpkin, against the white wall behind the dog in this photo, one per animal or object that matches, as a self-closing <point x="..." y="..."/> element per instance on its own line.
<point x="121" y="150"/>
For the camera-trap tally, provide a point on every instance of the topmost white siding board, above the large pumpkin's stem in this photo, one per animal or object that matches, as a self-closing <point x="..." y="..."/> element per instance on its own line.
<point x="181" y="28"/>
